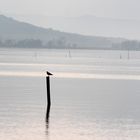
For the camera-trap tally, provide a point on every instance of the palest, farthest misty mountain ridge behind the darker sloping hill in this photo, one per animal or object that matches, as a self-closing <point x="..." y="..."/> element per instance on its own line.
<point x="88" y="25"/>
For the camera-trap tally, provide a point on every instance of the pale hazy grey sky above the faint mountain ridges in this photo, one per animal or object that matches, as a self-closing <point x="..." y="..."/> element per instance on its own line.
<point x="129" y="9"/>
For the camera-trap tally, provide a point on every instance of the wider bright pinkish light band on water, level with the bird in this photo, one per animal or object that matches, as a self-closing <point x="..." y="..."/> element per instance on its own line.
<point x="72" y="75"/>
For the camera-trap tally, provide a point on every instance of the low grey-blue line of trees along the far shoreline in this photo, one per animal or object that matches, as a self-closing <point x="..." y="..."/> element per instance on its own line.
<point x="63" y="44"/>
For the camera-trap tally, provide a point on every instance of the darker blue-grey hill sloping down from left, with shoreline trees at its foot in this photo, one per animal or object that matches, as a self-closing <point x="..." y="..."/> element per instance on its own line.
<point x="19" y="34"/>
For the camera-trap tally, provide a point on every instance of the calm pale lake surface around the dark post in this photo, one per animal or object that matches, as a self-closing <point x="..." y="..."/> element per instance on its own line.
<point x="95" y="95"/>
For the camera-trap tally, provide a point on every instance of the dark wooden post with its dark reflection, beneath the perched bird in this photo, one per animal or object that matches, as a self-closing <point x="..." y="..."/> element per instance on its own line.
<point x="48" y="97"/>
